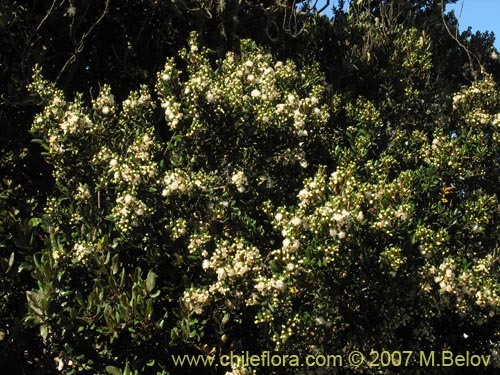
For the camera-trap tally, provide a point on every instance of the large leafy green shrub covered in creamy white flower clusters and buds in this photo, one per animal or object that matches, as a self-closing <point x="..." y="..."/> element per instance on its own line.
<point x="279" y="215"/>
